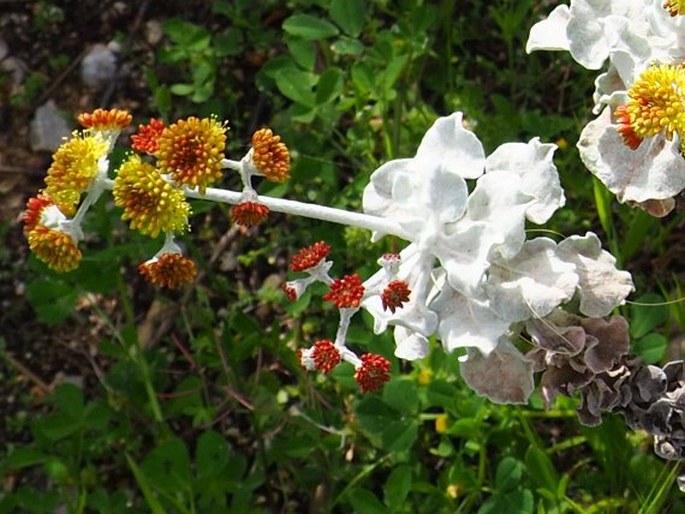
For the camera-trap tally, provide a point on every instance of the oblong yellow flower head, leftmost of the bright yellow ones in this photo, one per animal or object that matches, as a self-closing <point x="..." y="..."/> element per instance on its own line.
<point x="74" y="166"/>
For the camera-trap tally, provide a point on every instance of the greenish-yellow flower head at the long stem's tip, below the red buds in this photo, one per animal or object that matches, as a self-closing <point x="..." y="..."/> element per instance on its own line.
<point x="150" y="202"/>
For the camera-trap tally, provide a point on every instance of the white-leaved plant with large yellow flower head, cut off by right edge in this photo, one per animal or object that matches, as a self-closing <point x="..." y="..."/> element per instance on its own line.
<point x="635" y="144"/>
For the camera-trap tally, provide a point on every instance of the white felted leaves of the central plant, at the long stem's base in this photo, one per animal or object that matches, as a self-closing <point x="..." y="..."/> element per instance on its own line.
<point x="473" y="275"/>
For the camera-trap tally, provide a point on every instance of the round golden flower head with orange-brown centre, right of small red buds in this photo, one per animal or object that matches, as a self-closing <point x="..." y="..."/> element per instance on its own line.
<point x="191" y="151"/>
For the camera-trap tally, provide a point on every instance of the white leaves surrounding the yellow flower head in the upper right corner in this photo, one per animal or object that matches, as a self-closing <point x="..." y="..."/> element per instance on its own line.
<point x="632" y="35"/>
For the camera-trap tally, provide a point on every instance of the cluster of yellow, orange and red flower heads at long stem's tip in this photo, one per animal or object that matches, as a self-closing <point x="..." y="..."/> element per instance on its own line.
<point x="149" y="189"/>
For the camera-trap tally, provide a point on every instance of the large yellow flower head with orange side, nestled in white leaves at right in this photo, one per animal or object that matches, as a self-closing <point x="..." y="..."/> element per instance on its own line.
<point x="656" y="104"/>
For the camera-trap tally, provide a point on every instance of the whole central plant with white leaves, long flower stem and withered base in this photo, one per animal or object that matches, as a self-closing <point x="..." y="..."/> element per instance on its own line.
<point x="468" y="276"/>
